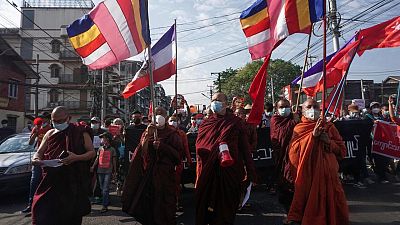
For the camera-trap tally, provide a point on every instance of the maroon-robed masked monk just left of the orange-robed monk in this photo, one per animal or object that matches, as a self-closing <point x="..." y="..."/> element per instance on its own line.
<point x="282" y="124"/>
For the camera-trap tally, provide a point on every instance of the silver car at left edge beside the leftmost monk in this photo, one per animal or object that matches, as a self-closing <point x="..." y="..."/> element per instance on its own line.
<point x="15" y="163"/>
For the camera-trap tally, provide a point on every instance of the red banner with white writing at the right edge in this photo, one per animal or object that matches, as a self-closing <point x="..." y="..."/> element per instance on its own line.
<point x="386" y="140"/>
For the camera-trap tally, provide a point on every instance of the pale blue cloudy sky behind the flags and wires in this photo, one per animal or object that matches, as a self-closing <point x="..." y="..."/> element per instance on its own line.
<point x="209" y="29"/>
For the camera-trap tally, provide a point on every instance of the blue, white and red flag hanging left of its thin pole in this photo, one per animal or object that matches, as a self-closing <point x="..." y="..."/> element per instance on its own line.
<point x="163" y="64"/>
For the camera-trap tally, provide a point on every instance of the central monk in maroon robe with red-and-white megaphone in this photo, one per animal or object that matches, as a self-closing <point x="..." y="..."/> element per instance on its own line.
<point x="223" y="154"/>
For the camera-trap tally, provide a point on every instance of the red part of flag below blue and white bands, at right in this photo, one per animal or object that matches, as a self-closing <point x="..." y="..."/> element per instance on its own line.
<point x="336" y="68"/>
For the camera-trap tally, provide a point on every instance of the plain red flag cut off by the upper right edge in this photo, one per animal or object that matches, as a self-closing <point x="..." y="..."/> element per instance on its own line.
<point x="383" y="35"/>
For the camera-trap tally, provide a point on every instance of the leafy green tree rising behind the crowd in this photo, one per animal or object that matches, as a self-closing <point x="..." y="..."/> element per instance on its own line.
<point x="237" y="82"/>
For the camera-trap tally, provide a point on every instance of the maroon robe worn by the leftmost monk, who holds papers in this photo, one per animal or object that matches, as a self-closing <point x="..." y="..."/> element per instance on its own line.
<point x="62" y="195"/>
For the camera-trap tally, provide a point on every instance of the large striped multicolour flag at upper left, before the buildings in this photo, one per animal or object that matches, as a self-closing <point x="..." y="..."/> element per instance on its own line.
<point x="113" y="31"/>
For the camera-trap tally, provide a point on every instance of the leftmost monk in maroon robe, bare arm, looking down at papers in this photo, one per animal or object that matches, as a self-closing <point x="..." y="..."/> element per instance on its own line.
<point x="62" y="195"/>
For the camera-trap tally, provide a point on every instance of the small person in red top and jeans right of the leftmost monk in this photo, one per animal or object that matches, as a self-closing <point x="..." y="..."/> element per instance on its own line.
<point x="106" y="168"/>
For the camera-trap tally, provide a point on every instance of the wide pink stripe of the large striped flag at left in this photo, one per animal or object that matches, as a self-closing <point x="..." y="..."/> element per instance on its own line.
<point x="110" y="31"/>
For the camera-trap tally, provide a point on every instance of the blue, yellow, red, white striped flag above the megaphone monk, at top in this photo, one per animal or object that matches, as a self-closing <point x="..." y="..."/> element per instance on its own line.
<point x="268" y="22"/>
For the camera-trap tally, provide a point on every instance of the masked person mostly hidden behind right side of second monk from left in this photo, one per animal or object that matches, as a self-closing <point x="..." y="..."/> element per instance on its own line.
<point x="172" y="121"/>
